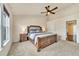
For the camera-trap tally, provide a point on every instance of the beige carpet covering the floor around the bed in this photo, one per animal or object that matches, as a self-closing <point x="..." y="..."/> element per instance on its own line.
<point x="61" y="48"/>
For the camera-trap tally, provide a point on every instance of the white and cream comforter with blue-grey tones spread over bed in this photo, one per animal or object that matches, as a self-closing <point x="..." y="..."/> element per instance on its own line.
<point x="34" y="36"/>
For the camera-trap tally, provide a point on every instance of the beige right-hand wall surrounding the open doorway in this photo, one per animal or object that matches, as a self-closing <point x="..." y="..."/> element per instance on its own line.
<point x="58" y="22"/>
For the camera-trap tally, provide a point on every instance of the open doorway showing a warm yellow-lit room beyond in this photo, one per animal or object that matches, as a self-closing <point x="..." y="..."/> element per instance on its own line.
<point x="70" y="30"/>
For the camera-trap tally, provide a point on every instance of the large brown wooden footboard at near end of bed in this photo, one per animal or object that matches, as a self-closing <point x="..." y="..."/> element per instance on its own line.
<point x="46" y="41"/>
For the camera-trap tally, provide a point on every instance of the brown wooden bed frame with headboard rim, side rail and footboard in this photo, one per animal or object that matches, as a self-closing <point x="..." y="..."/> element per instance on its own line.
<point x="44" y="41"/>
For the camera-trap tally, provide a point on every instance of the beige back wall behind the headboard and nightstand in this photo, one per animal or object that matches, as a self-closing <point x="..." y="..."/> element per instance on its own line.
<point x="21" y="22"/>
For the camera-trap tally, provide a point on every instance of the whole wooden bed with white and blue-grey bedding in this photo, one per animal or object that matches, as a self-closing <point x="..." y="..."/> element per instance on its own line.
<point x="39" y="38"/>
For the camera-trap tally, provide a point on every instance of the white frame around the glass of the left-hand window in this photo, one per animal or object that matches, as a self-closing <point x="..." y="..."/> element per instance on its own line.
<point x="7" y="26"/>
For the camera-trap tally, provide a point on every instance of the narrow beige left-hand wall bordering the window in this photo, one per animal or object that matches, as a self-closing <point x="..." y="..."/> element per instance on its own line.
<point x="6" y="48"/>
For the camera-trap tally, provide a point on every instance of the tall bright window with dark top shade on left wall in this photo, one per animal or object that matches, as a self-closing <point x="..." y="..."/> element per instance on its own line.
<point x="5" y="26"/>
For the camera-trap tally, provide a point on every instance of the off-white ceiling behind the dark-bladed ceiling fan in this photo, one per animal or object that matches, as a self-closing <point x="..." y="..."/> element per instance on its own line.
<point x="34" y="8"/>
